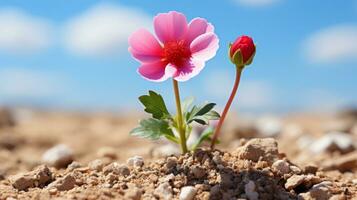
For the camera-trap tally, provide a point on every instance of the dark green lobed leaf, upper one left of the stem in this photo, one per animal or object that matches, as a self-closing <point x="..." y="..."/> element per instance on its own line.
<point x="155" y="105"/>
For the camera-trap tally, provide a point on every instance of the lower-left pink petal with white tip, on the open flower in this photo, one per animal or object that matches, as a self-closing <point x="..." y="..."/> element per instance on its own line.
<point x="157" y="71"/>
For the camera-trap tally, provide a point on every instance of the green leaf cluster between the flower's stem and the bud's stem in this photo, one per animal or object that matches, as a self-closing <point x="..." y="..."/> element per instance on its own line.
<point x="202" y="115"/>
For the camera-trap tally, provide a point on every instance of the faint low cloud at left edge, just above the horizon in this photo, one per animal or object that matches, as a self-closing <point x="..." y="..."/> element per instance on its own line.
<point x="26" y="83"/>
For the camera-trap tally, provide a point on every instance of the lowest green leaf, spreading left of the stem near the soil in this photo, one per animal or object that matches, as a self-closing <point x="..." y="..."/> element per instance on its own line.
<point x="154" y="129"/>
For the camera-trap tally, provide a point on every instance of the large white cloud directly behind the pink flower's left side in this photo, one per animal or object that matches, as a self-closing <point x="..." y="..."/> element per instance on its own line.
<point x="103" y="29"/>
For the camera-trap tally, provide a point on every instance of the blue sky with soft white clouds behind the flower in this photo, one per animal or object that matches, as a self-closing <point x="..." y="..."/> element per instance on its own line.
<point x="73" y="54"/>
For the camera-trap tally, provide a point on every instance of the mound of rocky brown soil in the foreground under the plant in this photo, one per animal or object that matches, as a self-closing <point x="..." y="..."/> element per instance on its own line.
<point x="255" y="170"/>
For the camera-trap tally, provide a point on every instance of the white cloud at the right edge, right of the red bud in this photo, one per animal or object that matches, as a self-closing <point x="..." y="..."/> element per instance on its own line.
<point x="332" y="44"/>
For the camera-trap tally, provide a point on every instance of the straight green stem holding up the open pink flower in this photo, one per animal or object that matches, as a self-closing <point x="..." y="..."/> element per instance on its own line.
<point x="181" y="127"/>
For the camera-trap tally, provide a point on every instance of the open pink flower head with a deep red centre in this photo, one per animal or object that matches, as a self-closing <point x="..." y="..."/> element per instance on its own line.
<point x="180" y="50"/>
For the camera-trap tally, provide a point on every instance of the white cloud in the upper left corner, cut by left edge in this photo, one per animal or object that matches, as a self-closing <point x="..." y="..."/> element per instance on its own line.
<point x="21" y="33"/>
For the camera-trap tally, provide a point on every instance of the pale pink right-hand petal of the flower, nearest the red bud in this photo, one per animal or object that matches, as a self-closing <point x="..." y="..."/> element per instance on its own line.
<point x="205" y="46"/>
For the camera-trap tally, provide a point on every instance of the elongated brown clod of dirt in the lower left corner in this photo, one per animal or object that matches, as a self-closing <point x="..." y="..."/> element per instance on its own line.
<point x="36" y="178"/>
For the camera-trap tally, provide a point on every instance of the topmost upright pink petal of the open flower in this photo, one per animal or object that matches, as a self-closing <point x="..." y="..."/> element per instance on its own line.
<point x="171" y="26"/>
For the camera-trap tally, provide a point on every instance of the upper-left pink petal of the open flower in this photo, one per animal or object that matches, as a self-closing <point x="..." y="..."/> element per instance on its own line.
<point x="144" y="46"/>
